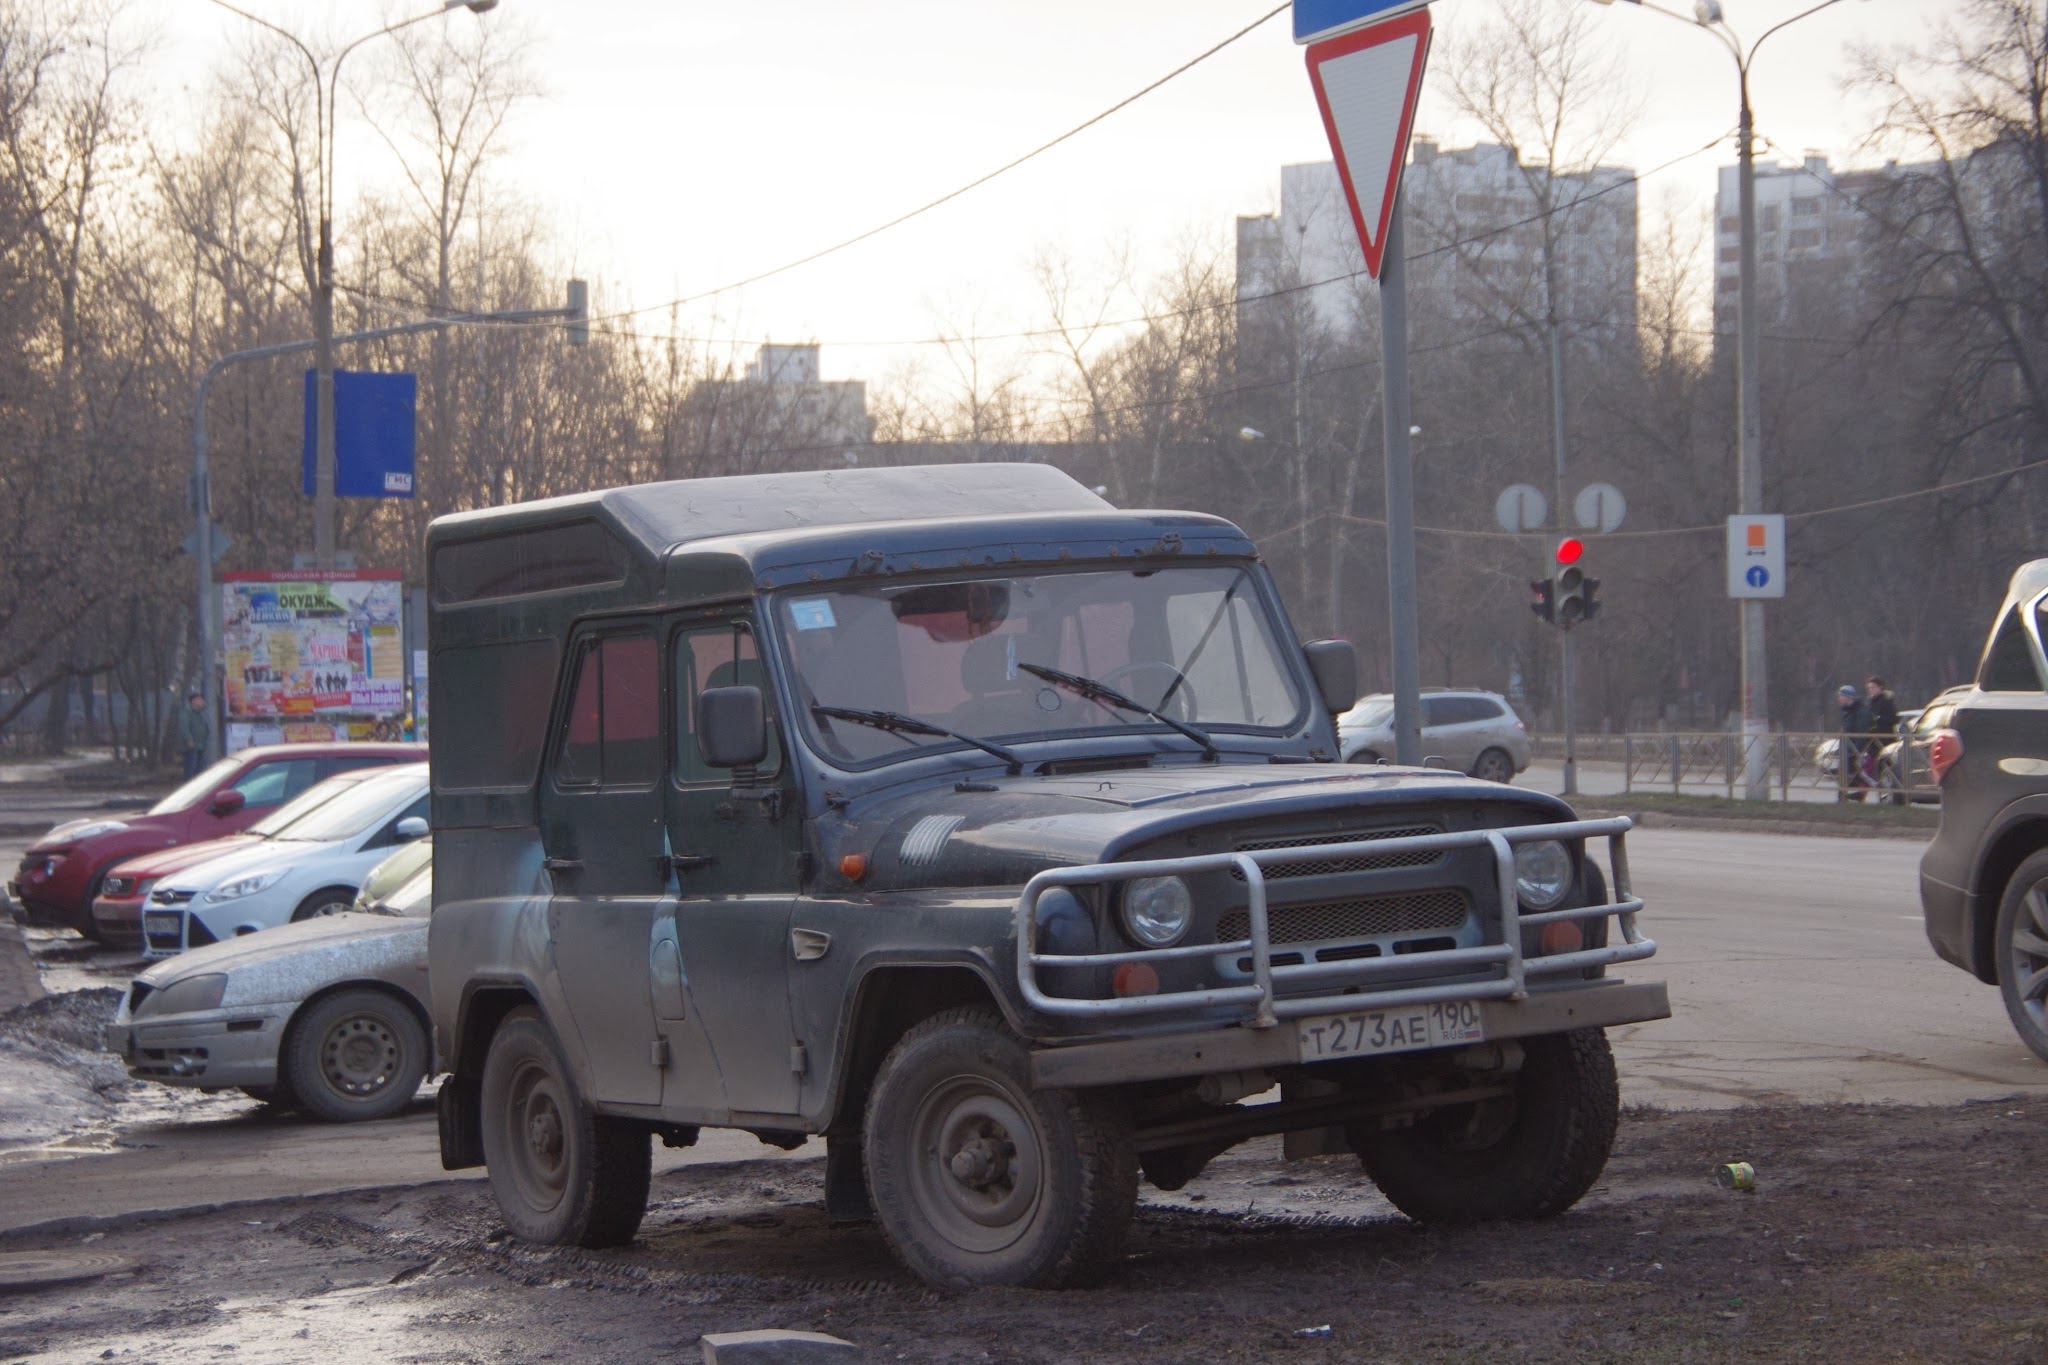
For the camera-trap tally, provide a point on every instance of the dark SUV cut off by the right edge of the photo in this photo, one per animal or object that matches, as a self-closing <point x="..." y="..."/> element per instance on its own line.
<point x="1986" y="875"/>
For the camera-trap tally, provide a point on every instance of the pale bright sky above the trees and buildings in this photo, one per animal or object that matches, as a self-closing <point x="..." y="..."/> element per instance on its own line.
<point x="685" y="146"/>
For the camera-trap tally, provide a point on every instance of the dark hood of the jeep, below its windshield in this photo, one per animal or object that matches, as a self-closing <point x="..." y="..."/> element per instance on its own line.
<point x="1025" y="826"/>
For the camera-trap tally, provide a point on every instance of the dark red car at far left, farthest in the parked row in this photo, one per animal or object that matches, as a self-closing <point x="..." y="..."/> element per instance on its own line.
<point x="62" y="873"/>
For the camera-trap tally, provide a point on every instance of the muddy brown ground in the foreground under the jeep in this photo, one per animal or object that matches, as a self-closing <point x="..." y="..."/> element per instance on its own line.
<point x="1873" y="1235"/>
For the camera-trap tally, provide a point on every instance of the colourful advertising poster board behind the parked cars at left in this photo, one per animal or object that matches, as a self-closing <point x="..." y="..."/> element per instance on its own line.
<point x="312" y="656"/>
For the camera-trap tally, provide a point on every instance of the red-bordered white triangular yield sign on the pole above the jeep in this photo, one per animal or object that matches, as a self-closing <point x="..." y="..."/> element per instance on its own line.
<point x="1367" y="87"/>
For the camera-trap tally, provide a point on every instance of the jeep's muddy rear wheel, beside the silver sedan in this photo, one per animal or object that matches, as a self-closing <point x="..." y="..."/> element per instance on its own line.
<point x="564" y="1174"/>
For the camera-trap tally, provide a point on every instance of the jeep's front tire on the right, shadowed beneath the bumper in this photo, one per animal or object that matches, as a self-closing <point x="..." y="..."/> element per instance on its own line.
<point x="1527" y="1155"/>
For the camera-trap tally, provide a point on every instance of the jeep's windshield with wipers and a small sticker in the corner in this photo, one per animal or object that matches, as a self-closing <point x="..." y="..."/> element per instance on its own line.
<point x="1193" y="644"/>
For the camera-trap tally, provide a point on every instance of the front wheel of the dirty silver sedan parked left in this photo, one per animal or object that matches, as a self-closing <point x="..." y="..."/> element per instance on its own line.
<point x="357" y="1055"/>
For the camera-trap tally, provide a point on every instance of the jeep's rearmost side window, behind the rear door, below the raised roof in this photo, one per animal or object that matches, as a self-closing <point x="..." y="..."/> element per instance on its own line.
<point x="490" y="715"/>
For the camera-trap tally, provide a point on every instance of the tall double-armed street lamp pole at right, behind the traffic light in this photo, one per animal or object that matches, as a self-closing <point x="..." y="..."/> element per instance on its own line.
<point x="1748" y="359"/>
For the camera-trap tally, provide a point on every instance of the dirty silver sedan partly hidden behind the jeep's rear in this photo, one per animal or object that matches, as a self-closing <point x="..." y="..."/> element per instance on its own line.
<point x="329" y="1016"/>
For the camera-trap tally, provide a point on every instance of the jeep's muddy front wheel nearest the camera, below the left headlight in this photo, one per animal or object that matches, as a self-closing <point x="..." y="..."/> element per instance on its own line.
<point x="980" y="1180"/>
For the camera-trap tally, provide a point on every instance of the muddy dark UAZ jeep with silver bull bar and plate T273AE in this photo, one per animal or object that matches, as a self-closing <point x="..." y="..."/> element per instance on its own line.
<point x="992" y="834"/>
